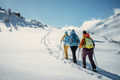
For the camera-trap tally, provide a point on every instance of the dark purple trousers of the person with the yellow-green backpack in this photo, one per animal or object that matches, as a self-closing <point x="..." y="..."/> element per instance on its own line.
<point x="88" y="52"/>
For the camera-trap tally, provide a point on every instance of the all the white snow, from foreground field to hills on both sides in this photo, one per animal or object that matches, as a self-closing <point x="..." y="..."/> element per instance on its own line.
<point x="30" y="50"/>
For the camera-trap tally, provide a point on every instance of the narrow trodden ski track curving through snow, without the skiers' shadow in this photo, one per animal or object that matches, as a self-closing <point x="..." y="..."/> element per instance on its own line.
<point x="53" y="52"/>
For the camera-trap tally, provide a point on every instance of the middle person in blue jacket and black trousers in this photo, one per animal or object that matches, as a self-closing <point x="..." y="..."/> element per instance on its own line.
<point x="74" y="43"/>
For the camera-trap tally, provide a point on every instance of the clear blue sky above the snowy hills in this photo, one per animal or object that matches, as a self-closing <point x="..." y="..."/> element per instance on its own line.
<point x="60" y="13"/>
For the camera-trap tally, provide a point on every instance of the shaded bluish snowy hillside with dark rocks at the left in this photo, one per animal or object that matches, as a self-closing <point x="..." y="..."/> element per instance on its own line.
<point x="13" y="20"/>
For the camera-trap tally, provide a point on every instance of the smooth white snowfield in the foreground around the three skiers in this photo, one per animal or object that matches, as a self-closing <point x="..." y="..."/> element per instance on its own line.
<point x="33" y="54"/>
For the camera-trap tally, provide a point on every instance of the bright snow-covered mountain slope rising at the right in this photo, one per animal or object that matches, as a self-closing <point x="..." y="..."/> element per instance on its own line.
<point x="109" y="28"/>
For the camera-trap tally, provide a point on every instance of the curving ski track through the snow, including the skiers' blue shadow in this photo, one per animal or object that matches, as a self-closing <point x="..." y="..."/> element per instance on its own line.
<point x="56" y="53"/>
